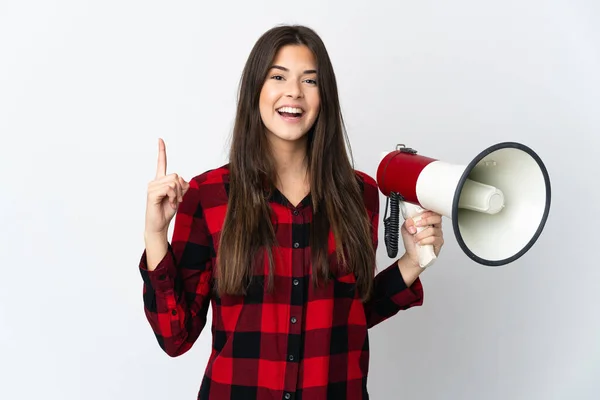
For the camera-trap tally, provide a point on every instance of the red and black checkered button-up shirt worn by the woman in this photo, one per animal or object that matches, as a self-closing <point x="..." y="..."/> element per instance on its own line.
<point x="297" y="342"/>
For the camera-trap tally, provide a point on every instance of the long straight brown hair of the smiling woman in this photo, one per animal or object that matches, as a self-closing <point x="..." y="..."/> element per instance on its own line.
<point x="336" y="194"/>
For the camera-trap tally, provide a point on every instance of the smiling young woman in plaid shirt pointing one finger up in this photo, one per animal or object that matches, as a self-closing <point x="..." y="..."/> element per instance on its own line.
<point x="280" y="242"/>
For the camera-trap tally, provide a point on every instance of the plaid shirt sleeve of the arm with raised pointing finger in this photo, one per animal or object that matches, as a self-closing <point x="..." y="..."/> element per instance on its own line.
<point x="176" y="295"/>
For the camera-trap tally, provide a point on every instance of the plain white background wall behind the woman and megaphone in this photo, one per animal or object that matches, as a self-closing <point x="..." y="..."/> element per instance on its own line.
<point x="86" y="88"/>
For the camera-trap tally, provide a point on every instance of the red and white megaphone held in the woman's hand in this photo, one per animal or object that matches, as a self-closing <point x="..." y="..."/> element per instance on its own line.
<point x="498" y="203"/>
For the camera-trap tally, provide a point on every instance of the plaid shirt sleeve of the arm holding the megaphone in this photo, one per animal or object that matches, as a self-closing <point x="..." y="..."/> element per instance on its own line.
<point x="390" y="293"/>
